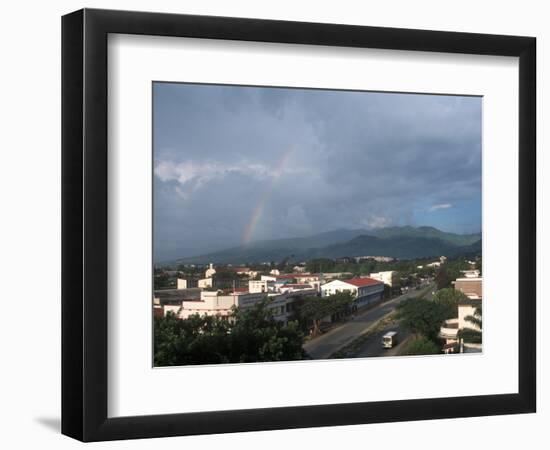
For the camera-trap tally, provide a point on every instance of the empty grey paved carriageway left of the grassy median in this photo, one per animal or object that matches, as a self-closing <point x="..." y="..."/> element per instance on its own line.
<point x="325" y="345"/>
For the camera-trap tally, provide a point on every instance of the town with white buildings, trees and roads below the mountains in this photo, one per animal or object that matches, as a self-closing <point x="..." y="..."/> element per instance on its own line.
<point x="318" y="309"/>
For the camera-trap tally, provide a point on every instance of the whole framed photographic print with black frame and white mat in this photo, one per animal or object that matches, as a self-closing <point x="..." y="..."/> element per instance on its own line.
<point x="272" y="224"/>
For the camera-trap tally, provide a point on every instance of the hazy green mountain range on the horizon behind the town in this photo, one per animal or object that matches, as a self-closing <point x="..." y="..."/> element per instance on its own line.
<point x="404" y="242"/>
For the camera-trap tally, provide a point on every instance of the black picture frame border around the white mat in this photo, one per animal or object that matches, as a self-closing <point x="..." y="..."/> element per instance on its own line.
<point x="84" y="224"/>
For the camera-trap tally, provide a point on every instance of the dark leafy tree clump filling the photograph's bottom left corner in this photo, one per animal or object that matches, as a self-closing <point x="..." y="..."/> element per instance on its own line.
<point x="248" y="335"/>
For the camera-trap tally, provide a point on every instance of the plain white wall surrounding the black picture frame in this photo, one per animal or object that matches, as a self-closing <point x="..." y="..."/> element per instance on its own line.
<point x="30" y="177"/>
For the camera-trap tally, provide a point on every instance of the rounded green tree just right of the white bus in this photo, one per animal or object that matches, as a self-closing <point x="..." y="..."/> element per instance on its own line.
<point x="423" y="317"/>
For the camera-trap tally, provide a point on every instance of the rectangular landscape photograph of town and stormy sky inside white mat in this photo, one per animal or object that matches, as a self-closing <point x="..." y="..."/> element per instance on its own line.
<point x="312" y="224"/>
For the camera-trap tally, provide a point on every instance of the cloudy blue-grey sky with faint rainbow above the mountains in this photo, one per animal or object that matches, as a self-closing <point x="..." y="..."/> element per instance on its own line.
<point x="235" y="164"/>
